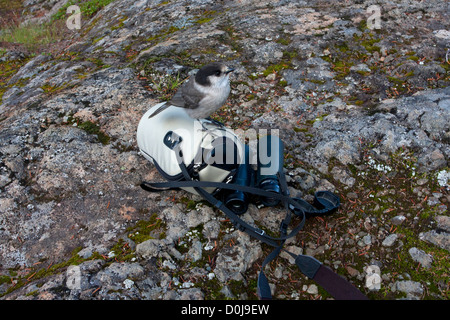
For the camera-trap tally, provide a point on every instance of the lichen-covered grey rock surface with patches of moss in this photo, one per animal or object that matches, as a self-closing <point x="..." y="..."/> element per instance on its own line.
<point x="363" y="112"/>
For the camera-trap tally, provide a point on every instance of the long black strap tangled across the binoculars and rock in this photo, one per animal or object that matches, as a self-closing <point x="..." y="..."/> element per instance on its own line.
<point x="337" y="286"/>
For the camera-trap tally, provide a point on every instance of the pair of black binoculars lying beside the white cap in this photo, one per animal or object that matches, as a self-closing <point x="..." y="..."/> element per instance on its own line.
<point x="270" y="163"/>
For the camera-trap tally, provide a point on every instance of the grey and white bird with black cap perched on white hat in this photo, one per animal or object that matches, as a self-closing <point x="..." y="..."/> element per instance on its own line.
<point x="203" y="93"/>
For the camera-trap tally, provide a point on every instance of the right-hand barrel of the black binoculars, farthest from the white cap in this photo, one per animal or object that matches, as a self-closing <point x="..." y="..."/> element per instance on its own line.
<point x="270" y="162"/>
